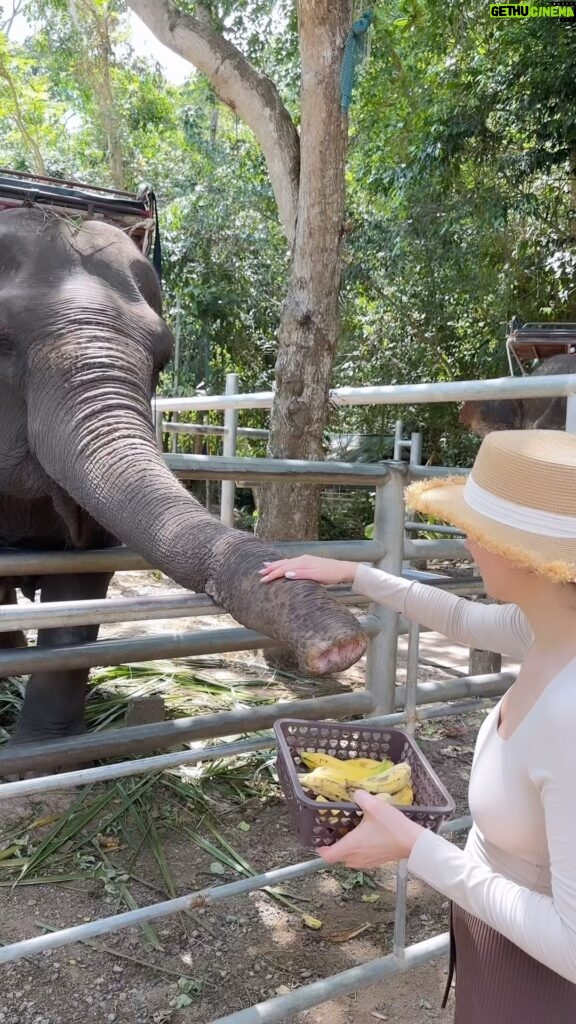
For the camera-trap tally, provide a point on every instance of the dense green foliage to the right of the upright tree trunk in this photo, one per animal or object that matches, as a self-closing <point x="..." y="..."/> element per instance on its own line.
<point x="462" y="202"/>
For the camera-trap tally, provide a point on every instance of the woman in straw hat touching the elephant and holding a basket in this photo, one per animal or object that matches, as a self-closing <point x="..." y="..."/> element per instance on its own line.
<point x="514" y="887"/>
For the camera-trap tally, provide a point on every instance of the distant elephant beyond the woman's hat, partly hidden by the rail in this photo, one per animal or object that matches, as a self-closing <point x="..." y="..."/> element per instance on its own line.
<point x="521" y="414"/>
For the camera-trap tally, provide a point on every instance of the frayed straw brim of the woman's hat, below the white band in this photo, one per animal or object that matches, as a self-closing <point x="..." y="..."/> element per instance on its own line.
<point x="550" y="558"/>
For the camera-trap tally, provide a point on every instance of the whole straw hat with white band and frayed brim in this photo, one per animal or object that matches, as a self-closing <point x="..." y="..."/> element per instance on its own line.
<point x="519" y="501"/>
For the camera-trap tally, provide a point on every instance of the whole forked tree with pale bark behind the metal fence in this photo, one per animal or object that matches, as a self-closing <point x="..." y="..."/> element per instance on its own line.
<point x="307" y="173"/>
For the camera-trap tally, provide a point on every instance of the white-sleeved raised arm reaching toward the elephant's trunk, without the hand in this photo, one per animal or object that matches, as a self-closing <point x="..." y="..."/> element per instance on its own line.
<point x="488" y="627"/>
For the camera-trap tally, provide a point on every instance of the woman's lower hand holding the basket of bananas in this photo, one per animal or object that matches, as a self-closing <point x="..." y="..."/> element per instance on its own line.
<point x="384" y="835"/>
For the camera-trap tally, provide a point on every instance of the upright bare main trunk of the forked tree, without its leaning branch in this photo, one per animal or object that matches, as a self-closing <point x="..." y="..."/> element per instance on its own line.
<point x="310" y="327"/>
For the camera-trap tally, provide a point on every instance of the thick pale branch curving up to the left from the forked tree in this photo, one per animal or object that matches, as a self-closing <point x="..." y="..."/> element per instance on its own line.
<point x="238" y="84"/>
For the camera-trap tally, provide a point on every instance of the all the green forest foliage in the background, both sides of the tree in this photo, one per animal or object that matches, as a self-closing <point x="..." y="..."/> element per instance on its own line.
<point x="462" y="190"/>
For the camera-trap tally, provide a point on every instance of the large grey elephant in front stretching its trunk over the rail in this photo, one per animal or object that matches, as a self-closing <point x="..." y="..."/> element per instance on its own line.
<point x="83" y="344"/>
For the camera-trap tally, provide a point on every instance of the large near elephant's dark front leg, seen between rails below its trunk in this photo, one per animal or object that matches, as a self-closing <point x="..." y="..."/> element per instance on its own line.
<point x="55" y="702"/>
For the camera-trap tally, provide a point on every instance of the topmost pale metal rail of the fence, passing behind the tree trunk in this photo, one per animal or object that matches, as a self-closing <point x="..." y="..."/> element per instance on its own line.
<point x="391" y="395"/>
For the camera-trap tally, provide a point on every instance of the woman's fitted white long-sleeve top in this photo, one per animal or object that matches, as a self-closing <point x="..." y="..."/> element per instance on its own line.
<point x="518" y="872"/>
